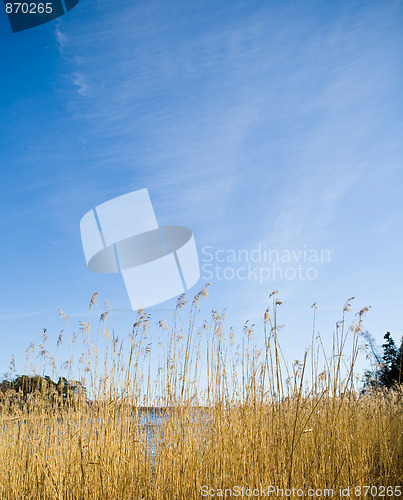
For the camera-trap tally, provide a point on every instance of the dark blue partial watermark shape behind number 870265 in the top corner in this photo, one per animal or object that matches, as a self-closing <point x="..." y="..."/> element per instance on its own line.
<point x="26" y="15"/>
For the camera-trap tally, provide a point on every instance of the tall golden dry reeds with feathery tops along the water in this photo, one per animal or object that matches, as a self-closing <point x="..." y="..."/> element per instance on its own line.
<point x="210" y="419"/>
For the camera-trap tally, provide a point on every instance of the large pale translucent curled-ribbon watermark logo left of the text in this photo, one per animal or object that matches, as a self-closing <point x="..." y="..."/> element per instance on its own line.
<point x="157" y="263"/>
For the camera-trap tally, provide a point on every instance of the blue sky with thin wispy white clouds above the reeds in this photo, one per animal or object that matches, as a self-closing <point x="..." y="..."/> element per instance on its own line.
<point x="276" y="123"/>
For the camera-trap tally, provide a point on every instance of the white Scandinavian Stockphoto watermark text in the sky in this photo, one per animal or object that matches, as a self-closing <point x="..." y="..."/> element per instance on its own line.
<point x="262" y="263"/>
